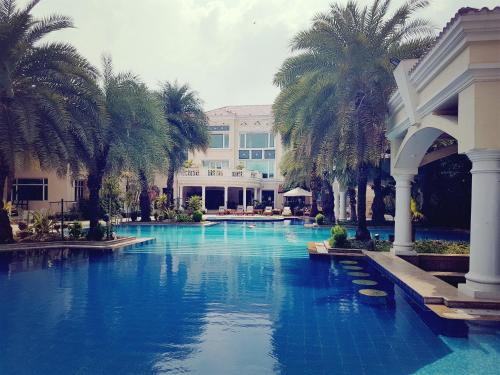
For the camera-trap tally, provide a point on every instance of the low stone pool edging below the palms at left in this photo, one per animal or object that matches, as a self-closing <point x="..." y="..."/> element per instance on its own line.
<point x="119" y="243"/>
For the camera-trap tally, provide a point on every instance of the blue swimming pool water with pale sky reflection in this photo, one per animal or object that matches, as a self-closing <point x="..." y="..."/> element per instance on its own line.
<point x="226" y="299"/>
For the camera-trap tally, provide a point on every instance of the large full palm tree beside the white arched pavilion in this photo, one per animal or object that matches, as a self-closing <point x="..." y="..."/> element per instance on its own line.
<point x="347" y="50"/>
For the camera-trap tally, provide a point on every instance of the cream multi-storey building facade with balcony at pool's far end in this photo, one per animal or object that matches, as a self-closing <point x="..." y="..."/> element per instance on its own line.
<point x="241" y="164"/>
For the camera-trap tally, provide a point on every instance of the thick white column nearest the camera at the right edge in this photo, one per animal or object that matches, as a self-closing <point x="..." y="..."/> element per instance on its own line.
<point x="483" y="278"/>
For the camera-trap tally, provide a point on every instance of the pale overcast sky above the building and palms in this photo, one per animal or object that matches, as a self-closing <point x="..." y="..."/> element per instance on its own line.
<point x="227" y="50"/>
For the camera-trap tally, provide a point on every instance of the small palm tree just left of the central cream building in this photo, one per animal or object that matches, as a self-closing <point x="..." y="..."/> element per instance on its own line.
<point x="187" y="127"/>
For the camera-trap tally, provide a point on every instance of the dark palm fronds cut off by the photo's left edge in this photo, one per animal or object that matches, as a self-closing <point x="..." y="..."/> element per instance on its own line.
<point x="44" y="88"/>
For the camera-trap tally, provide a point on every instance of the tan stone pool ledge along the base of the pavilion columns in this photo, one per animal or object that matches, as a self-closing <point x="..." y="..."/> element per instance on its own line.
<point x="440" y="297"/>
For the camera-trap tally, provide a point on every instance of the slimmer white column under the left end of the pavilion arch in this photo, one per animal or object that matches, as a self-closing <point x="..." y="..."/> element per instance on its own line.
<point x="403" y="244"/>
